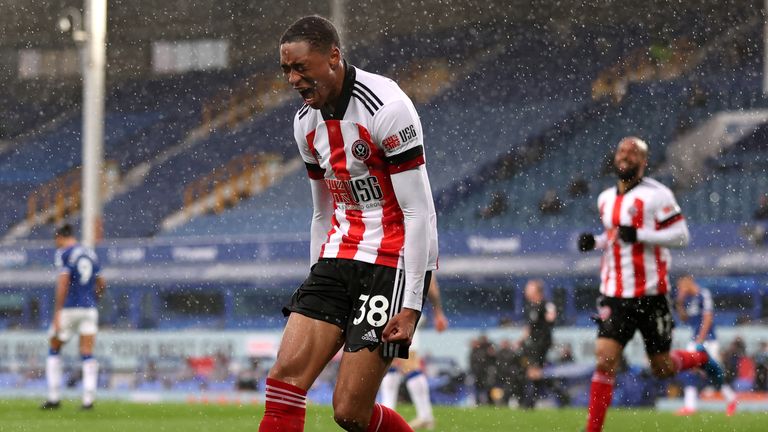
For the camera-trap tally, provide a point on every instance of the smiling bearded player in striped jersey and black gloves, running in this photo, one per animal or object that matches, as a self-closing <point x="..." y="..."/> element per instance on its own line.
<point x="642" y="220"/>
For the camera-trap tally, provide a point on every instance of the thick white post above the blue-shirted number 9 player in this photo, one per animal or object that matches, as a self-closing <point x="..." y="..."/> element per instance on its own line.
<point x="93" y="117"/>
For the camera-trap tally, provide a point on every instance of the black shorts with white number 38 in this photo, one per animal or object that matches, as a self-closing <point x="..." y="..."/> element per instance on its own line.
<point x="356" y="296"/>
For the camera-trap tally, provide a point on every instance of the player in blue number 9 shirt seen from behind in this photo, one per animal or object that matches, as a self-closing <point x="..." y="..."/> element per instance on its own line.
<point x="78" y="288"/>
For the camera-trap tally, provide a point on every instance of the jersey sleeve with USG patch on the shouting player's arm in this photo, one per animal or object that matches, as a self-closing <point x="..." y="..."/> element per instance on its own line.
<point x="397" y="130"/>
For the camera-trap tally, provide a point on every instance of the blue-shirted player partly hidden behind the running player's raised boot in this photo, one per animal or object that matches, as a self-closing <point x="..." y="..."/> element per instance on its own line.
<point x="695" y="308"/>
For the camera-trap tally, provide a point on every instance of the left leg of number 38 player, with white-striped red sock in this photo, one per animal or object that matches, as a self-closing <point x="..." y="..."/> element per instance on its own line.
<point x="307" y="346"/>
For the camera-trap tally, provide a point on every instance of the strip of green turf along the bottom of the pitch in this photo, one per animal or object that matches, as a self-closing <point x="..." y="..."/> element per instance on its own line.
<point x="24" y="416"/>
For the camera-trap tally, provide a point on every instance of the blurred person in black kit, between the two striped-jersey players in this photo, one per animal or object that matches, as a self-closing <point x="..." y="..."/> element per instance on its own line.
<point x="536" y="339"/>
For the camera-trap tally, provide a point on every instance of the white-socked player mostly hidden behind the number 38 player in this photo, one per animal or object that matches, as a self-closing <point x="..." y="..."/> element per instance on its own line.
<point x="413" y="370"/>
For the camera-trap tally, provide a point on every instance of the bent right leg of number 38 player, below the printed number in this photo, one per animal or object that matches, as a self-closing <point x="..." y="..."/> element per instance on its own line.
<point x="354" y="407"/>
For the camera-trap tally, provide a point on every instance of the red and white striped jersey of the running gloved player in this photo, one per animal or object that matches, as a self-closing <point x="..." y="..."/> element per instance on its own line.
<point x="638" y="269"/>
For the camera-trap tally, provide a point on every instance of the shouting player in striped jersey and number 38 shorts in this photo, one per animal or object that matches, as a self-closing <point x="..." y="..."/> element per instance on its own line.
<point x="373" y="234"/>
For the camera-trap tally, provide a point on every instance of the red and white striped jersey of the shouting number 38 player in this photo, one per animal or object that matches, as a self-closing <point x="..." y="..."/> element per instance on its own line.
<point x="375" y="132"/>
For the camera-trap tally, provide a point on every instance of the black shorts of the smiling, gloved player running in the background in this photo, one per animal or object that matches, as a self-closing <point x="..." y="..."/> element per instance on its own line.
<point x="620" y="317"/>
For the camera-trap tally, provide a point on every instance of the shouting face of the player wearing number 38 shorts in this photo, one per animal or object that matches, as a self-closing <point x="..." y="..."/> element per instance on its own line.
<point x="311" y="72"/>
